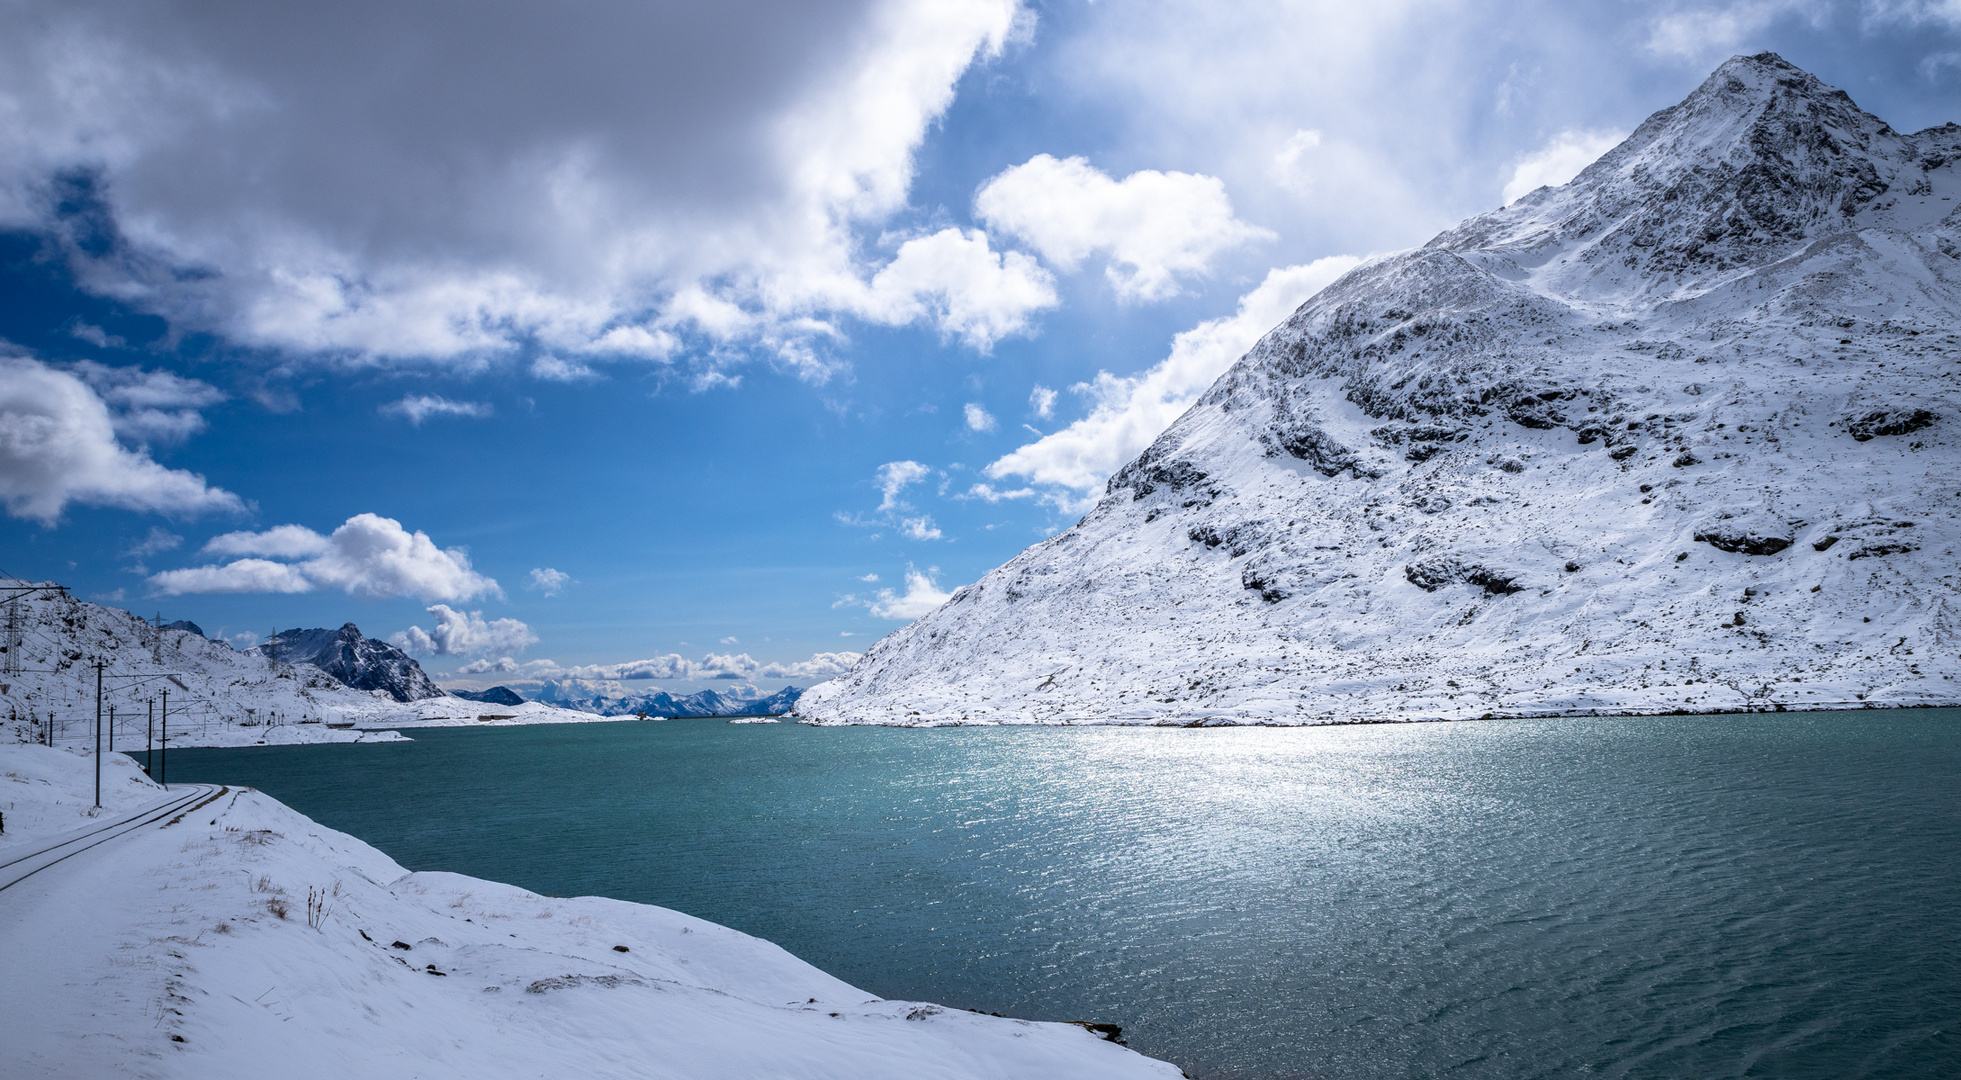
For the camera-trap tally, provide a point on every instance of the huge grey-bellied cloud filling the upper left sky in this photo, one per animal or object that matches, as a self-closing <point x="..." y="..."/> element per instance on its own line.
<point x="574" y="209"/>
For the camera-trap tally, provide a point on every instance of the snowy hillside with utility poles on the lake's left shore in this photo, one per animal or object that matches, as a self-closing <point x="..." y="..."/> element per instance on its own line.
<point x="217" y="695"/>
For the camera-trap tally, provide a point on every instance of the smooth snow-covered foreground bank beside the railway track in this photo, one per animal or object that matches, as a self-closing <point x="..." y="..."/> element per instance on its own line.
<point x="250" y="940"/>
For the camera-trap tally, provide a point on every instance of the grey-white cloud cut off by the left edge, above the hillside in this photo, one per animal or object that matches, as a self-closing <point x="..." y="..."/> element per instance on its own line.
<point x="58" y="446"/>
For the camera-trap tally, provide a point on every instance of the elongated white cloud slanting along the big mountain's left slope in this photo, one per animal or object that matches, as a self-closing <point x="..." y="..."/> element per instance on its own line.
<point x="1129" y="413"/>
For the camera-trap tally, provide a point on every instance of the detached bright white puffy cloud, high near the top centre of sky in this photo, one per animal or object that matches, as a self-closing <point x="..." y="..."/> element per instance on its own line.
<point x="1154" y="226"/>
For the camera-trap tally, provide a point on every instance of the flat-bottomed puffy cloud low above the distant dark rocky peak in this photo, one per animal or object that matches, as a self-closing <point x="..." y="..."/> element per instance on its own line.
<point x="368" y="556"/>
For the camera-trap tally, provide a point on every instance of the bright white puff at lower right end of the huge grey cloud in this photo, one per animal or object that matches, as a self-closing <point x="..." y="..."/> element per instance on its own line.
<point x="954" y="281"/>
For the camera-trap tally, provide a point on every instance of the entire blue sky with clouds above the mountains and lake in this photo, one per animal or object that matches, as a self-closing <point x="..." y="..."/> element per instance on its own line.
<point x="717" y="344"/>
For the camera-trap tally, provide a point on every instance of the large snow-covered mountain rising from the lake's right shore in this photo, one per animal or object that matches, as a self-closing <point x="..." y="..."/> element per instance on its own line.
<point x="1676" y="436"/>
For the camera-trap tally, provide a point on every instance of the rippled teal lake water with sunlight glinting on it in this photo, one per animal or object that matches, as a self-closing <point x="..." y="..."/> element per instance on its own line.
<point x="1672" y="899"/>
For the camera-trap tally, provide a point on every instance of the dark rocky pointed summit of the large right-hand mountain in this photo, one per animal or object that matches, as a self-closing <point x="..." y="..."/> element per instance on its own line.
<point x="1750" y="168"/>
